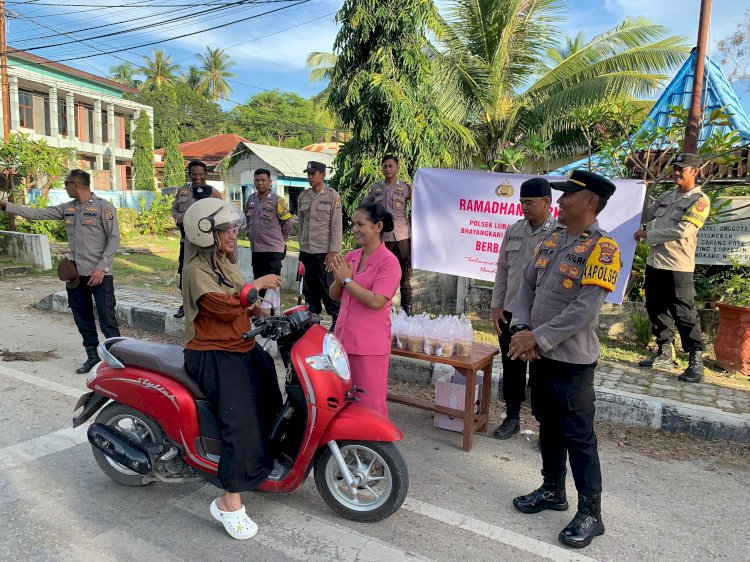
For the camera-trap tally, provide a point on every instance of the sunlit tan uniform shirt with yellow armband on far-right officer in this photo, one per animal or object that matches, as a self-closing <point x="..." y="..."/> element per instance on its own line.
<point x="677" y="217"/>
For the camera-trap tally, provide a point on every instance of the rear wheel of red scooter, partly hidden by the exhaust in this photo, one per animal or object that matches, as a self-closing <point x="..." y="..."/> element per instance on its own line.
<point x="140" y="427"/>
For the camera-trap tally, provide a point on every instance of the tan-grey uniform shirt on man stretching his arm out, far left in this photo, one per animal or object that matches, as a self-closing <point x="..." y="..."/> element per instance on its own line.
<point x="92" y="227"/>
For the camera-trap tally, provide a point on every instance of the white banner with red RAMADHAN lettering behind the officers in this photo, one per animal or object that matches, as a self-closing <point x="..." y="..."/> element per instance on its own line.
<point x="459" y="218"/>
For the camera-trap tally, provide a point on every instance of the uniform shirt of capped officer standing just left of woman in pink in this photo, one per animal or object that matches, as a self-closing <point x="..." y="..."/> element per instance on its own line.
<point x="320" y="221"/>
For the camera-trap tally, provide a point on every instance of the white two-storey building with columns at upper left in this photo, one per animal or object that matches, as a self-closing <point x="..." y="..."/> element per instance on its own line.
<point x="74" y="109"/>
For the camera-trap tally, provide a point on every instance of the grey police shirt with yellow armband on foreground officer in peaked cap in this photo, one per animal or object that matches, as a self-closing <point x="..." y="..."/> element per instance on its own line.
<point x="562" y="289"/>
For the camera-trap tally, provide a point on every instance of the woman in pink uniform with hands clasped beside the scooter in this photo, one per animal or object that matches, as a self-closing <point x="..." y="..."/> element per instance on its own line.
<point x="366" y="280"/>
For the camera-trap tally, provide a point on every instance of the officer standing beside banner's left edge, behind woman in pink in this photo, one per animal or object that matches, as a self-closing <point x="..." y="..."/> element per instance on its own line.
<point x="395" y="196"/>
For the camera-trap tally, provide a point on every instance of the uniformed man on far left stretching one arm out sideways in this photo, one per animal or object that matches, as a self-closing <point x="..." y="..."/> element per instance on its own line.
<point x="93" y="236"/>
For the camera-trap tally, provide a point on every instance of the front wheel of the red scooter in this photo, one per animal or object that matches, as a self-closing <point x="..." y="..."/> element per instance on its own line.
<point x="381" y="480"/>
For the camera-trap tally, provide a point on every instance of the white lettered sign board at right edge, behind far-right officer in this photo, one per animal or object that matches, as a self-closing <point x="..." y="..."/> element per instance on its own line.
<point x="724" y="242"/>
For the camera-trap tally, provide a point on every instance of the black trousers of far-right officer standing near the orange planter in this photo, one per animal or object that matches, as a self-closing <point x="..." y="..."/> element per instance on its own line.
<point x="670" y="301"/>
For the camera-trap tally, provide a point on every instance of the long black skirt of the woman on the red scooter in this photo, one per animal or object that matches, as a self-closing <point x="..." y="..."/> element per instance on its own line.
<point x="244" y="391"/>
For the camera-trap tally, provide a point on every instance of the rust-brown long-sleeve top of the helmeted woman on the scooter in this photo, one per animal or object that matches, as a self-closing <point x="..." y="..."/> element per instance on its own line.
<point x="220" y="323"/>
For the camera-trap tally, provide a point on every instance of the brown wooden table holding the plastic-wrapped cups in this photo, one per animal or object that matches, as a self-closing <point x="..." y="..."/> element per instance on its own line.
<point x="480" y="360"/>
